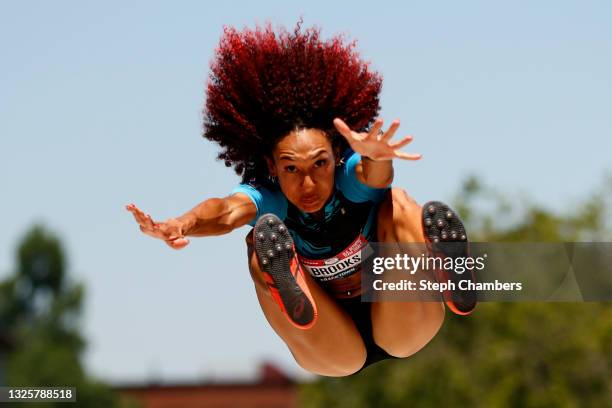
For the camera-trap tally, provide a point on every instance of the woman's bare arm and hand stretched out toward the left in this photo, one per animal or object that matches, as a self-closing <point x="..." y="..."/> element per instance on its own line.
<point x="215" y="216"/>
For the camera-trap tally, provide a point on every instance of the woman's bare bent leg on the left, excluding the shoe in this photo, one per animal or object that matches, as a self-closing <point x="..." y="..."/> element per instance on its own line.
<point x="331" y="347"/>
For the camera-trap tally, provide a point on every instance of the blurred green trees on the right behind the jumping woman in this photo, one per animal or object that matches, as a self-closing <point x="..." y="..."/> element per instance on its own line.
<point x="505" y="354"/>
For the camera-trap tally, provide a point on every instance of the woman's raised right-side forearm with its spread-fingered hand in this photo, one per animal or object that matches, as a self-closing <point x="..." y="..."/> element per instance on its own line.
<point x="377" y="152"/>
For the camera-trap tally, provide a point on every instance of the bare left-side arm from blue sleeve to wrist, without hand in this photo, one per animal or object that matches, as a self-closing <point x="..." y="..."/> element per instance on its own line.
<point x="217" y="216"/>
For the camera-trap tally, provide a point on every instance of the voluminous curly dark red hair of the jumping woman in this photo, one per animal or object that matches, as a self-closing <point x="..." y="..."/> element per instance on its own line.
<point x="264" y="84"/>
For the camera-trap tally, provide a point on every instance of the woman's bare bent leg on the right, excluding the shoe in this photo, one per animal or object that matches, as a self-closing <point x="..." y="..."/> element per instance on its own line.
<point x="403" y="328"/>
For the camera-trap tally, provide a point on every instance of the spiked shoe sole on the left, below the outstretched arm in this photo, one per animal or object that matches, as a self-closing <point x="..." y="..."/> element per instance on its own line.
<point x="275" y="252"/>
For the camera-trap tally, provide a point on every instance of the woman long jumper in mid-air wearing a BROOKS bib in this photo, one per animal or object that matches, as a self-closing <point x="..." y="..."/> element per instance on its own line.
<point x="295" y="117"/>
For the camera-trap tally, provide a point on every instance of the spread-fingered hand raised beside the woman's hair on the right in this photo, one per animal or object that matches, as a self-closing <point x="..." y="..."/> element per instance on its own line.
<point x="374" y="144"/>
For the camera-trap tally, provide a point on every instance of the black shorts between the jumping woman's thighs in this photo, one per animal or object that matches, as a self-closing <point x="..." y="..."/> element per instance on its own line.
<point x="361" y="315"/>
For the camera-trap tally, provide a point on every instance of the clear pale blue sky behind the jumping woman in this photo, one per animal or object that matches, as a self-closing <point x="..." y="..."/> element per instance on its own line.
<point x="100" y="105"/>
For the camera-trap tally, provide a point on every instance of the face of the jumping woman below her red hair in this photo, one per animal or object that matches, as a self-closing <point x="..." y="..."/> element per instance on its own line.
<point x="304" y="163"/>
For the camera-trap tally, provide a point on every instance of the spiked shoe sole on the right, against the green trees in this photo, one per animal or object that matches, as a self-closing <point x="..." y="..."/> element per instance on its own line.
<point x="447" y="238"/>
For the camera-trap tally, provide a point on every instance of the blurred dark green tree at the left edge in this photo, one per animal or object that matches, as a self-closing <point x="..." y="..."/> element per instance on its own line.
<point x="40" y="310"/>
